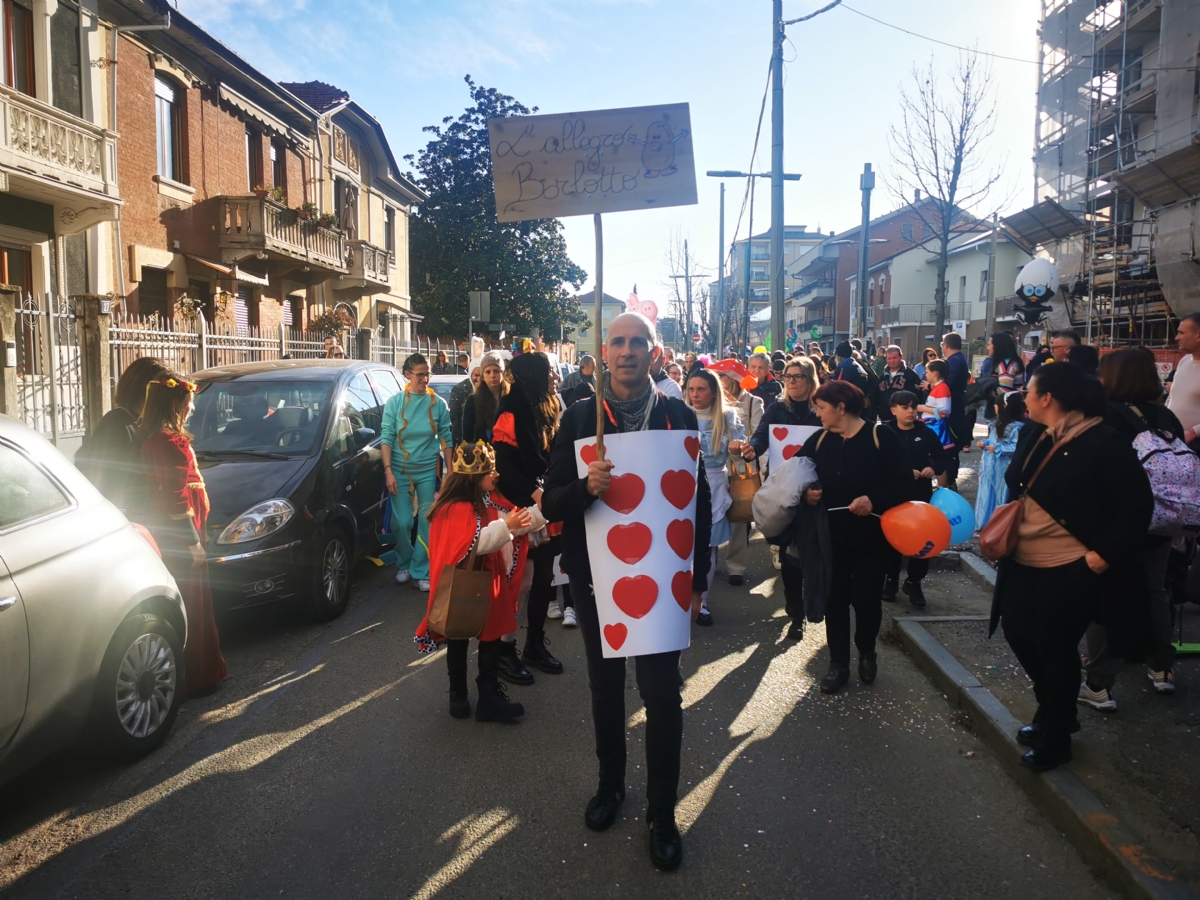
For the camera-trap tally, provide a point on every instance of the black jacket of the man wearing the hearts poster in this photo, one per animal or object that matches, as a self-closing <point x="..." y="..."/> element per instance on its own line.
<point x="567" y="499"/>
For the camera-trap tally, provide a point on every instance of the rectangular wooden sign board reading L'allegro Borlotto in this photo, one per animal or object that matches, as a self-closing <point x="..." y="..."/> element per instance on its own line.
<point x="605" y="161"/>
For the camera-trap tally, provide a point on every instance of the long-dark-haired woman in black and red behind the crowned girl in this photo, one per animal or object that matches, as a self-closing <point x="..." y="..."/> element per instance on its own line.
<point x="526" y="424"/>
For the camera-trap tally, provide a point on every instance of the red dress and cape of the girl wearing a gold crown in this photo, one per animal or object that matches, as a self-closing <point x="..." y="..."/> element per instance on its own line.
<point x="453" y="533"/>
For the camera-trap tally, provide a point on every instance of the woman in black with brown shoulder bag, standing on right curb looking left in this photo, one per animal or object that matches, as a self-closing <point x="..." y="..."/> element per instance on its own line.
<point x="1078" y="555"/>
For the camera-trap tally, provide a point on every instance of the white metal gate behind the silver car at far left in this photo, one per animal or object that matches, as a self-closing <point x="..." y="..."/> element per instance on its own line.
<point x="50" y="367"/>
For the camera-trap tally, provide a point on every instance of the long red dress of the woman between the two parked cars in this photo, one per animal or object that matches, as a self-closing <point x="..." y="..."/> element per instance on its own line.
<point x="178" y="513"/>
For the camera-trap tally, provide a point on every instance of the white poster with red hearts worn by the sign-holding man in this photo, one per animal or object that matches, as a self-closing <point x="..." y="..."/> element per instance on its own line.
<point x="641" y="541"/>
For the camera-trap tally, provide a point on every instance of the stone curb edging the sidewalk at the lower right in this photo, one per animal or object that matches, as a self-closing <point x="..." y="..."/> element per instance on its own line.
<point x="1108" y="845"/>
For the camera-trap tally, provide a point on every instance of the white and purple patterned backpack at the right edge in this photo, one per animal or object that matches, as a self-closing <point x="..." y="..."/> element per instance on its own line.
<point x="1174" y="472"/>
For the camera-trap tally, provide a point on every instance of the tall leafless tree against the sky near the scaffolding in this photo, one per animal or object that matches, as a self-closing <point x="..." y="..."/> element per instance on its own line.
<point x="939" y="151"/>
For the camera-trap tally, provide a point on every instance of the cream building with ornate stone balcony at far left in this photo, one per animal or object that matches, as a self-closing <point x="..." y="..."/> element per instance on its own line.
<point x="59" y="200"/>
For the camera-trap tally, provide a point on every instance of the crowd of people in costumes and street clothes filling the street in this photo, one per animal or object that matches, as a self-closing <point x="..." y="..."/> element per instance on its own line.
<point x="491" y="484"/>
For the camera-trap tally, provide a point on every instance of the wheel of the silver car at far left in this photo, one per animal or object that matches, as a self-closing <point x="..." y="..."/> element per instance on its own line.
<point x="140" y="688"/>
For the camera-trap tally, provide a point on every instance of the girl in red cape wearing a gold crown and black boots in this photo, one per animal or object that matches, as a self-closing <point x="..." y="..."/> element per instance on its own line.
<point x="471" y="514"/>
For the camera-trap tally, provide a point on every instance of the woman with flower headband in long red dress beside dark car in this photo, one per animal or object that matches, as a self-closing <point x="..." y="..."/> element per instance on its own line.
<point x="178" y="511"/>
